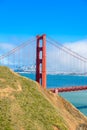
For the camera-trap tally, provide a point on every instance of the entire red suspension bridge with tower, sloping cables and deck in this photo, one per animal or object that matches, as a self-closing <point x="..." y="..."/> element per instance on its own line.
<point x="43" y="55"/>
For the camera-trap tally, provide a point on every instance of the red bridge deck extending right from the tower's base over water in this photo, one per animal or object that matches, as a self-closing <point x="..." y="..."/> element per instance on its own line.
<point x="68" y="89"/>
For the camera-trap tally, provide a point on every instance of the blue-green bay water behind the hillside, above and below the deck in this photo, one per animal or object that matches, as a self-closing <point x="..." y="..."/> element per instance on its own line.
<point x="78" y="98"/>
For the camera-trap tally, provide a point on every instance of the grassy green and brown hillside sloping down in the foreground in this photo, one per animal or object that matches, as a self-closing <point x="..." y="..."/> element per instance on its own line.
<point x="24" y="105"/>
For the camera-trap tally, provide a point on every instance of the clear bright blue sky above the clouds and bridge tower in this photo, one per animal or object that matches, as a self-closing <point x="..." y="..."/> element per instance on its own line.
<point x="64" y="20"/>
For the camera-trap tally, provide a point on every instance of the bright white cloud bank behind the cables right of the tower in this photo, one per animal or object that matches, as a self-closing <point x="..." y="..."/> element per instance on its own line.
<point x="60" y="61"/>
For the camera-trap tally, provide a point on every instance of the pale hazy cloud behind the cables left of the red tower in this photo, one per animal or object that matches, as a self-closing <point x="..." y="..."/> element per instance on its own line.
<point x="23" y="56"/>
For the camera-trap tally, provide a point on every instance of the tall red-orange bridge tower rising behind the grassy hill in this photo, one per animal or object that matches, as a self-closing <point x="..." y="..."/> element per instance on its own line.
<point x="41" y="60"/>
